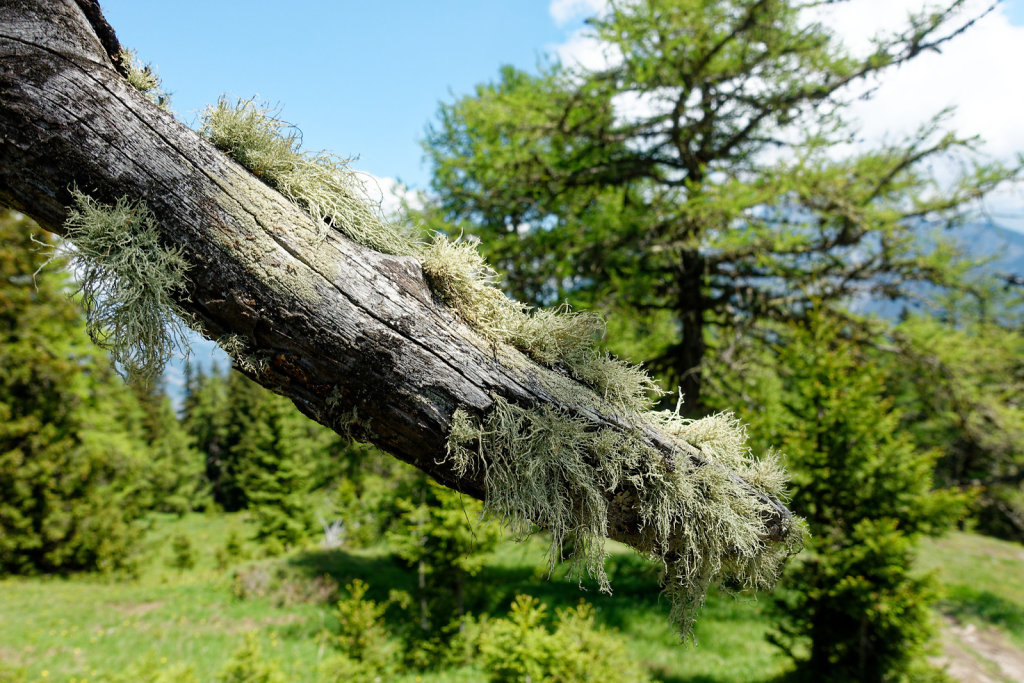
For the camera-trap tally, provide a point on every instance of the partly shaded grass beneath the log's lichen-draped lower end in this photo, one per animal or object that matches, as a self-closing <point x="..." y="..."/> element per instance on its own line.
<point x="731" y="634"/>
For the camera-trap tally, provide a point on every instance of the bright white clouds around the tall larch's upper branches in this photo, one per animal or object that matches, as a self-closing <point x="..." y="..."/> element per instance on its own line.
<point x="976" y="74"/>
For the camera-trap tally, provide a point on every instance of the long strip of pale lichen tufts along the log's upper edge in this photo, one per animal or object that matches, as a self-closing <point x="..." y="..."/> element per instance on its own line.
<point x="325" y="187"/>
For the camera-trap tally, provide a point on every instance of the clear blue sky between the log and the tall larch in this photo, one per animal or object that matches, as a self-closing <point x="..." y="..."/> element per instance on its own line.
<point x="361" y="78"/>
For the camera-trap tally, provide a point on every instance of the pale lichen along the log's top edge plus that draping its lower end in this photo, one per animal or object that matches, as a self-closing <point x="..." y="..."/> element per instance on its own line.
<point x="542" y="466"/>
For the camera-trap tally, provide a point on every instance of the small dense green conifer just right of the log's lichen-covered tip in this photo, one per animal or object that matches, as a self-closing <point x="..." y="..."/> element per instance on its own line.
<point x="866" y="491"/>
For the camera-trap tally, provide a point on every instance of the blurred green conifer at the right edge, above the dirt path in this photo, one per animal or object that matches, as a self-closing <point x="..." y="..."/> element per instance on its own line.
<point x="961" y="395"/>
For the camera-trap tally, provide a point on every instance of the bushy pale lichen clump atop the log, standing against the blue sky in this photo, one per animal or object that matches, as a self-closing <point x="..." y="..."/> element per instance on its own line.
<point x="321" y="184"/>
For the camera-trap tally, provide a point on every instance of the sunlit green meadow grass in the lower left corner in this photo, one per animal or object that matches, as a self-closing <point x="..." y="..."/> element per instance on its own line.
<point x="94" y="628"/>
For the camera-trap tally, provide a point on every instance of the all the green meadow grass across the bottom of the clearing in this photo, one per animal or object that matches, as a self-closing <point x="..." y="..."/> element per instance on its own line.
<point x="91" y="629"/>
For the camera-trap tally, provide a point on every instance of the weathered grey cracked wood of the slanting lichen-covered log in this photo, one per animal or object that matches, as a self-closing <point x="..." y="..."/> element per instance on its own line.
<point x="354" y="337"/>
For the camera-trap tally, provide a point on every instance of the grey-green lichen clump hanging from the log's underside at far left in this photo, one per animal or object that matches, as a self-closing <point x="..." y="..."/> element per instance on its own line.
<point x="127" y="281"/>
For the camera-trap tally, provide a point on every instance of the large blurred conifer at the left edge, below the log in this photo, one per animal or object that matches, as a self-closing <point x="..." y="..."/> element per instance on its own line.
<point x="71" y="457"/>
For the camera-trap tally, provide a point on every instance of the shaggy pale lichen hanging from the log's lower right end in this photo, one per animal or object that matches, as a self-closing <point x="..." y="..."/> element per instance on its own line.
<point x="551" y="469"/>
